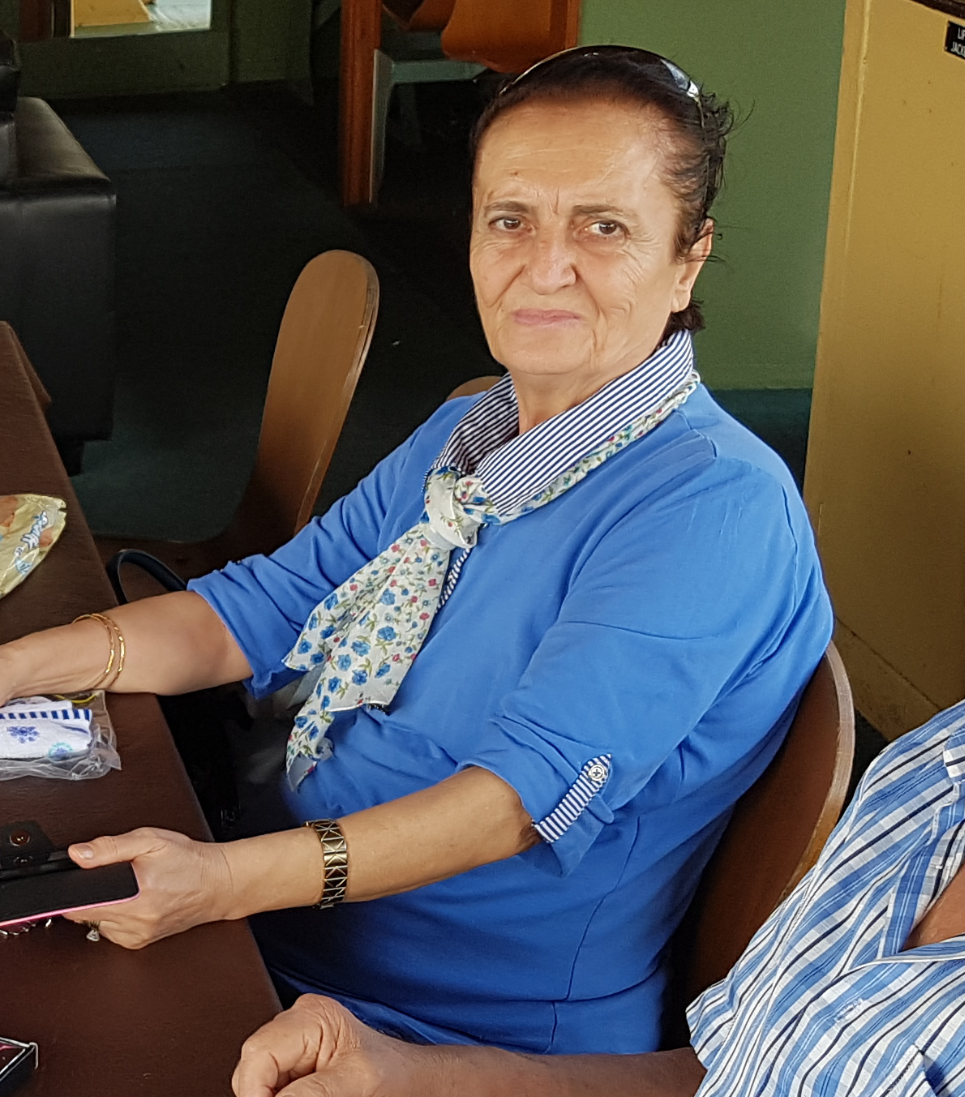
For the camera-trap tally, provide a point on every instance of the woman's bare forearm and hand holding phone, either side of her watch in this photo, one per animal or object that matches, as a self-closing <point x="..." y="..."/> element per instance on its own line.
<point x="469" y="820"/>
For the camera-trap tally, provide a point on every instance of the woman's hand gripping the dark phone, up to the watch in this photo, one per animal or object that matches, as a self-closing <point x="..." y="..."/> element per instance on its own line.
<point x="184" y="884"/>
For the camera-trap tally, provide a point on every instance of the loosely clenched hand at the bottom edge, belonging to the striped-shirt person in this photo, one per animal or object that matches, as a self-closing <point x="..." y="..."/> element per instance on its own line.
<point x="332" y="1053"/>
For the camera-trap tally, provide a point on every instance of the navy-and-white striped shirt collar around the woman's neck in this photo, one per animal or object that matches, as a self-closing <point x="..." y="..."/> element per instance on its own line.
<point x="514" y="468"/>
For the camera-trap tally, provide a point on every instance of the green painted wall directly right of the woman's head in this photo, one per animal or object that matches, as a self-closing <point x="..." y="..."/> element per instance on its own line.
<point x="778" y="63"/>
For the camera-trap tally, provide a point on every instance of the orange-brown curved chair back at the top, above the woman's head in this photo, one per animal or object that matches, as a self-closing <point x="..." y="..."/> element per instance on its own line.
<point x="510" y="37"/>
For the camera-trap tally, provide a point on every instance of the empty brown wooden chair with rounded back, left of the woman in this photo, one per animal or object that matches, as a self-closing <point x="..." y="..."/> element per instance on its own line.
<point x="322" y="347"/>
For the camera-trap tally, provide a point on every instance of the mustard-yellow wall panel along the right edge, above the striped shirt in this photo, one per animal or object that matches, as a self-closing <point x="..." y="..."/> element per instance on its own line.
<point x="887" y="461"/>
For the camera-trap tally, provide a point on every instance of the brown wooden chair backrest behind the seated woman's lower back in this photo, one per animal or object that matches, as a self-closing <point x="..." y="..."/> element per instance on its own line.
<point x="776" y="834"/>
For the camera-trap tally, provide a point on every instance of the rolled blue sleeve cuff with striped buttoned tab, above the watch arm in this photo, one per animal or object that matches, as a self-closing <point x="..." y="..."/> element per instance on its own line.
<point x="561" y="793"/>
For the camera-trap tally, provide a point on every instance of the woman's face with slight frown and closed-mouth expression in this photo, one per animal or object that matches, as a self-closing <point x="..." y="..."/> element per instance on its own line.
<point x="573" y="250"/>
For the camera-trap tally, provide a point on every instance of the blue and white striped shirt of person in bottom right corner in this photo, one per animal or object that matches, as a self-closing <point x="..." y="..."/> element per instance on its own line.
<point x="825" y="1002"/>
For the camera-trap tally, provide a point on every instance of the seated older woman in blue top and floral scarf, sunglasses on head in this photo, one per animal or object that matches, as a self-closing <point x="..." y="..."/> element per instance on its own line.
<point x="552" y="638"/>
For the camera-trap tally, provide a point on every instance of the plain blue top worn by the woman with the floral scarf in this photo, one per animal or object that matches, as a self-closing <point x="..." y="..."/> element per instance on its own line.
<point x="666" y="613"/>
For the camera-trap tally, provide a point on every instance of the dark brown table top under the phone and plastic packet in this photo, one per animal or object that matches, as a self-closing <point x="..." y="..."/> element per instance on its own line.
<point x="169" y="1020"/>
